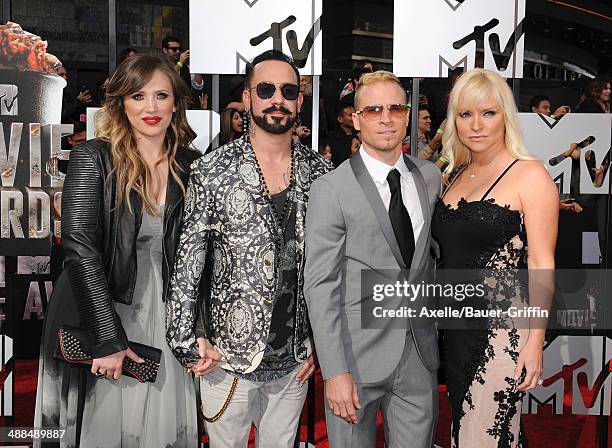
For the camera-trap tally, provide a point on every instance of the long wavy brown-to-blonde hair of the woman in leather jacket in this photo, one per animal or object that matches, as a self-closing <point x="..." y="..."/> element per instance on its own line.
<point x="112" y="125"/>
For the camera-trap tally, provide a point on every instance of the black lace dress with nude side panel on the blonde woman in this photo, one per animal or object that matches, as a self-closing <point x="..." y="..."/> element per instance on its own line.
<point x="488" y="240"/>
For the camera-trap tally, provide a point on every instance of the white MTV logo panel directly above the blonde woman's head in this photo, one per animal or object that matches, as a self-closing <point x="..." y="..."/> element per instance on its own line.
<point x="463" y="27"/>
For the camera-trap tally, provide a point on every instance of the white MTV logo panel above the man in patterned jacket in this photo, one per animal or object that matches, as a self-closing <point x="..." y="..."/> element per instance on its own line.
<point x="257" y="25"/>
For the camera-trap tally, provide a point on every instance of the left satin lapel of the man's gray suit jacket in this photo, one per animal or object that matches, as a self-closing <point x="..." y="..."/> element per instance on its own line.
<point x="373" y="197"/>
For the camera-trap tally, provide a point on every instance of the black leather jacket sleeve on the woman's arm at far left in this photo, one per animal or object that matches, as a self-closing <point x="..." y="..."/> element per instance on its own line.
<point x="82" y="202"/>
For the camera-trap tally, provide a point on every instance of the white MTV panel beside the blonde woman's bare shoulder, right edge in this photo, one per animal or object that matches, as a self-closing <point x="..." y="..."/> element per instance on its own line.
<point x="588" y="134"/>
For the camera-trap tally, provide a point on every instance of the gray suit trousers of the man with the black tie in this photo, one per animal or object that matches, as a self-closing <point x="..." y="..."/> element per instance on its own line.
<point x="409" y="403"/>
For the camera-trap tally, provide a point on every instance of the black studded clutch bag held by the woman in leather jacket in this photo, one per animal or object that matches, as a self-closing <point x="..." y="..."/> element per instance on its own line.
<point x="74" y="346"/>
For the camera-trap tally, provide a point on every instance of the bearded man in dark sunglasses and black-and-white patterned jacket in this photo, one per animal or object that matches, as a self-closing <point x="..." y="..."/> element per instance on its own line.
<point x="243" y="236"/>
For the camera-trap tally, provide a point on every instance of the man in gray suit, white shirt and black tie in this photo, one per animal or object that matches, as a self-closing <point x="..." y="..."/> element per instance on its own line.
<point x="373" y="212"/>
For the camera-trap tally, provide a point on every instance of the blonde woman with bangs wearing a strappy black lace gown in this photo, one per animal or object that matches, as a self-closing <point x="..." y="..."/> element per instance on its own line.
<point x="497" y="198"/>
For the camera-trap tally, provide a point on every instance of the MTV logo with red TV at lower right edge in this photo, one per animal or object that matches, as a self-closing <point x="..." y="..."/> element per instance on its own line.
<point x="578" y="365"/>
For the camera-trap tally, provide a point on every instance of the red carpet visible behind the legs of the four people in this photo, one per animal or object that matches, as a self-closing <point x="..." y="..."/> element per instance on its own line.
<point x="543" y="430"/>
